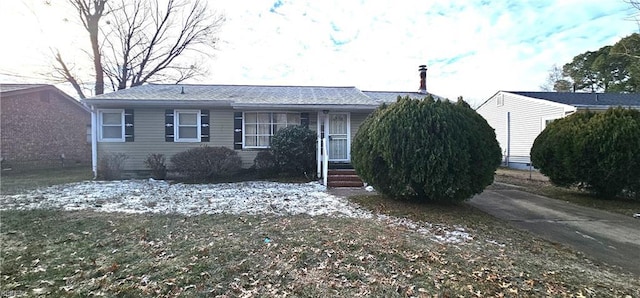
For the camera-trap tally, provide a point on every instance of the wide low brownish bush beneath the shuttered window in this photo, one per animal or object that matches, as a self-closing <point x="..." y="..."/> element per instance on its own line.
<point x="205" y="163"/>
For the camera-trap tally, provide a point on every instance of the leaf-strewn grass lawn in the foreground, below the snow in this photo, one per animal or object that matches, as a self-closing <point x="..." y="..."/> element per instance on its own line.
<point x="82" y="253"/>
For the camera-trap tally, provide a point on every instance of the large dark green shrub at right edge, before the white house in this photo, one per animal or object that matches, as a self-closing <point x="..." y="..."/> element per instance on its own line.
<point x="596" y="151"/>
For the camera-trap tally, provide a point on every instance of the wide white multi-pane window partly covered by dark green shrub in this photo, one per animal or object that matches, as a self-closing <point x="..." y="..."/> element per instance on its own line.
<point x="259" y="127"/>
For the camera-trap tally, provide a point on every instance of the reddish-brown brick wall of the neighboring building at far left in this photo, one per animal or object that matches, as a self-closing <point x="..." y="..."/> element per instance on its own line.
<point x="37" y="128"/>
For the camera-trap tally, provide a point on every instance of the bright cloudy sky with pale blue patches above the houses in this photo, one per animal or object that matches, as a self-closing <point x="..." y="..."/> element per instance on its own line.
<point x="472" y="48"/>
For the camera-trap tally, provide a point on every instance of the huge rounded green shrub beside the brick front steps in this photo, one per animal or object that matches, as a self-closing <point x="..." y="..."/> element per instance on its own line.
<point x="426" y="150"/>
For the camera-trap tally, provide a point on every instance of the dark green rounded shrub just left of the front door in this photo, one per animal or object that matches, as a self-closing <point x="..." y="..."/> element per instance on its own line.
<point x="294" y="148"/>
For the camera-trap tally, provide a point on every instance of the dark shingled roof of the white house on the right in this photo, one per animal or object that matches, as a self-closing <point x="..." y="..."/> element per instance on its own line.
<point x="587" y="100"/>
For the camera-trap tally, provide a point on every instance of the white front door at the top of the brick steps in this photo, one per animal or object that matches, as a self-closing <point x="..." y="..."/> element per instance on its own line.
<point x="338" y="135"/>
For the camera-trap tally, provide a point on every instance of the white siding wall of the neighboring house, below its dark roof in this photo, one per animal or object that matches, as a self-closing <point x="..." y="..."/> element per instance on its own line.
<point x="527" y="121"/>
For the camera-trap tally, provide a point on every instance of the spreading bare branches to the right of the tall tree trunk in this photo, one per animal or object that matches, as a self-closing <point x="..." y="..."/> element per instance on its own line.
<point x="153" y="43"/>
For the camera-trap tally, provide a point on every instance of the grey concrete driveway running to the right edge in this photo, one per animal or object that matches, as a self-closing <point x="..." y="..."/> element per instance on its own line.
<point x="602" y="236"/>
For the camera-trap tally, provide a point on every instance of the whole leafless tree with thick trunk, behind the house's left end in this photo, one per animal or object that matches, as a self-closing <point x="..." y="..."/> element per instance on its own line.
<point x="145" y="41"/>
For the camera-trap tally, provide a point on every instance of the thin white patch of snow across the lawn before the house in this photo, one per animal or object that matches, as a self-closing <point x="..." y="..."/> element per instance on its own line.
<point x="256" y="197"/>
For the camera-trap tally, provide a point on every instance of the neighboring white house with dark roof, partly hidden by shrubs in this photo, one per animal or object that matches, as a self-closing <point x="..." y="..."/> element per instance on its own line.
<point x="519" y="117"/>
